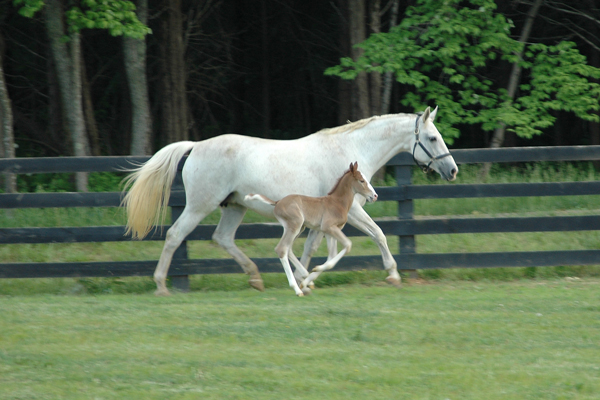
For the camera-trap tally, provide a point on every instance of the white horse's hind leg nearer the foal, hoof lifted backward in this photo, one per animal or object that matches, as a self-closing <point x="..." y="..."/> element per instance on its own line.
<point x="231" y="218"/>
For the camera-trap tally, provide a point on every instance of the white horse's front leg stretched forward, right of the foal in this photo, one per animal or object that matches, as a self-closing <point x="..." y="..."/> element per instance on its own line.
<point x="359" y="218"/>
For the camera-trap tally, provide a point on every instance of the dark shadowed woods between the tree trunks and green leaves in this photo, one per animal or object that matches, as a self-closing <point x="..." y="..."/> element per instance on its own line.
<point x="250" y="67"/>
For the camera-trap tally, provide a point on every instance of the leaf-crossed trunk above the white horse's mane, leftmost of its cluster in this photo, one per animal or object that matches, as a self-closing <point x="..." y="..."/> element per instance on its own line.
<point x="360" y="92"/>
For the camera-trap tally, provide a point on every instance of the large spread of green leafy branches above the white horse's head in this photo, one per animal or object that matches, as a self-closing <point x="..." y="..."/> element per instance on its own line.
<point x="442" y="50"/>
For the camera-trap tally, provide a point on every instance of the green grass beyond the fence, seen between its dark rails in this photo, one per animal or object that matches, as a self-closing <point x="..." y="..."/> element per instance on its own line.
<point x="523" y="206"/>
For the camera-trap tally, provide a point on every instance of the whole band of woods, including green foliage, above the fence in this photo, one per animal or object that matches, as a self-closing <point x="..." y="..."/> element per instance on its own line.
<point x="272" y="69"/>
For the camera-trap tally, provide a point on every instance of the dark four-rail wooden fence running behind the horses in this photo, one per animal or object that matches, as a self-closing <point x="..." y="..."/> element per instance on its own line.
<point x="405" y="226"/>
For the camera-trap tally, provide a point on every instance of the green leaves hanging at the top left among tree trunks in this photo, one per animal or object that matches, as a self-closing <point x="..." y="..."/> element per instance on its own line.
<point x="116" y="16"/>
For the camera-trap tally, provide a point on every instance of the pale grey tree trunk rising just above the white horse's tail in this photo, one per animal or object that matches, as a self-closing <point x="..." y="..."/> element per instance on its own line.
<point x="135" y="67"/>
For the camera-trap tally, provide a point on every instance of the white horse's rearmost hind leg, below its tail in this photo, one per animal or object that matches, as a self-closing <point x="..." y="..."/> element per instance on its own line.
<point x="186" y="223"/>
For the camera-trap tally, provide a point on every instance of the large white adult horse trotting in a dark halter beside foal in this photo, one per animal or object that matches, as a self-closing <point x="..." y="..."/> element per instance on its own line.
<point x="221" y="171"/>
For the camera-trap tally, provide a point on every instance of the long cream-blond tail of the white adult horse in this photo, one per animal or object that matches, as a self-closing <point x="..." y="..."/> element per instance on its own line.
<point x="150" y="188"/>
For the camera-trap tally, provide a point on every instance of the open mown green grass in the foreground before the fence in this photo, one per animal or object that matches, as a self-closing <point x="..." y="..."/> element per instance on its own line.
<point x="535" y="339"/>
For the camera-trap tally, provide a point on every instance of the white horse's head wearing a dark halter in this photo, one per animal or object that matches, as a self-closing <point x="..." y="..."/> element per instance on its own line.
<point x="429" y="150"/>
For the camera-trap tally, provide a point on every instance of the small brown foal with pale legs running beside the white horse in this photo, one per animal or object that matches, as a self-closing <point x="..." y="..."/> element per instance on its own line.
<point x="328" y="214"/>
